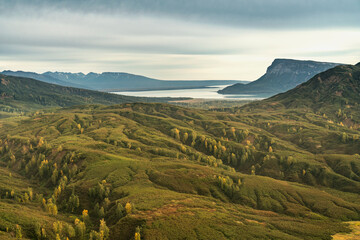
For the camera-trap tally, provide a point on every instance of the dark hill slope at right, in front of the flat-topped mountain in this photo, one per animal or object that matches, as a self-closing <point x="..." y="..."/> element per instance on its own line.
<point x="329" y="91"/>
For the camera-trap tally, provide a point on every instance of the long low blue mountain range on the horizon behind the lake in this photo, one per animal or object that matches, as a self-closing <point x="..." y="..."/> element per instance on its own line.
<point x="116" y="81"/>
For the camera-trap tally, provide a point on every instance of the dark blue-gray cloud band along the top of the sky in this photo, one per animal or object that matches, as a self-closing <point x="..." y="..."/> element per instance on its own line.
<point x="242" y="13"/>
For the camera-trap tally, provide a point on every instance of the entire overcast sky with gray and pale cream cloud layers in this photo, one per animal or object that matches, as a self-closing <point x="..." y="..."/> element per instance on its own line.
<point x="175" y="39"/>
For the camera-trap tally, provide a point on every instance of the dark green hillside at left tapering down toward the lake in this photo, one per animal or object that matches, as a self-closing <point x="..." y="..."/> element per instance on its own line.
<point x="19" y="94"/>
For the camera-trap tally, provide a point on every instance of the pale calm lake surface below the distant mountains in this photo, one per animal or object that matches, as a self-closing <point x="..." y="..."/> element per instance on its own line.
<point x="206" y="93"/>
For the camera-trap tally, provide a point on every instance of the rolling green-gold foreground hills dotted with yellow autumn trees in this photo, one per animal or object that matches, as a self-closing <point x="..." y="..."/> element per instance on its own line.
<point x="172" y="173"/>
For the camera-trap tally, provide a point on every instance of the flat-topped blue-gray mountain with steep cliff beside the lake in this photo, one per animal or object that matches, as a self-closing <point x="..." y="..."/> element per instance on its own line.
<point x="282" y="75"/>
